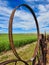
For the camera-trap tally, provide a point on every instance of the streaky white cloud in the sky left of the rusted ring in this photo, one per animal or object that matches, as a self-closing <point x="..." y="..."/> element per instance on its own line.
<point x="4" y="15"/>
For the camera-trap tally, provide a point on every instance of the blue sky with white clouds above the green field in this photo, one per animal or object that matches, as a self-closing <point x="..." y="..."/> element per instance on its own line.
<point x="23" y="21"/>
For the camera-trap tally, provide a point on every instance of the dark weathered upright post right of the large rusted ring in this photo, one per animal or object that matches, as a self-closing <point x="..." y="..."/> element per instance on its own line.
<point x="43" y="45"/>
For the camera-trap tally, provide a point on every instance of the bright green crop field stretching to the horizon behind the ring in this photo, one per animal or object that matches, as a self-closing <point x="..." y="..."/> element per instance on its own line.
<point x="19" y="40"/>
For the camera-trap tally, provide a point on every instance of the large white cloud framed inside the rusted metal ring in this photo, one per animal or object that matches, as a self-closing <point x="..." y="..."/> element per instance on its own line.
<point x="27" y="22"/>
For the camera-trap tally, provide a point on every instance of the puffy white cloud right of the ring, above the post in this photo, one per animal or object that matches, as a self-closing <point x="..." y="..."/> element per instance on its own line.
<point x="43" y="18"/>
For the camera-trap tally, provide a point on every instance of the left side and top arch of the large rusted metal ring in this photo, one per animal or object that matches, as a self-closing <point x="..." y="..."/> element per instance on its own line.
<point x="10" y="28"/>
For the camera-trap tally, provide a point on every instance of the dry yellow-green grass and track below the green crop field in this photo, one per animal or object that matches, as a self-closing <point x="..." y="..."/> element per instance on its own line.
<point x="25" y="52"/>
